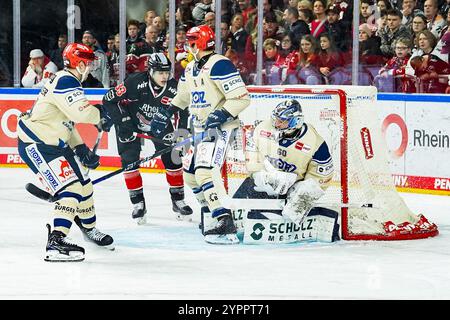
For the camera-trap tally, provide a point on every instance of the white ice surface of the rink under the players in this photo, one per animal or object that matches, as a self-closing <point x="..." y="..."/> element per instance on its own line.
<point x="168" y="259"/>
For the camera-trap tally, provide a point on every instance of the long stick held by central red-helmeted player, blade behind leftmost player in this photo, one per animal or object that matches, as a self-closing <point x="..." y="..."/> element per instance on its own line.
<point x="44" y="195"/>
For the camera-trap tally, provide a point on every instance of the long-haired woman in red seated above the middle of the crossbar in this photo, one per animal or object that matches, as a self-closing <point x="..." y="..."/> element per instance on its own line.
<point x="307" y="73"/>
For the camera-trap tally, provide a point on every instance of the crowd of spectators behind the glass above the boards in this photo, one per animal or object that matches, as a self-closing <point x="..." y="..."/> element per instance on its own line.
<point x="404" y="45"/>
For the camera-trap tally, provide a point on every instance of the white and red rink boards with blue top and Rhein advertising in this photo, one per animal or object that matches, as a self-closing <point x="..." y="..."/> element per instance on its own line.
<point x="416" y="128"/>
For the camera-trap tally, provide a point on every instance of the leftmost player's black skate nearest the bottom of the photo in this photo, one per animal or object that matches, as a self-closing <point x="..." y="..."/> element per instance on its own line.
<point x="59" y="249"/>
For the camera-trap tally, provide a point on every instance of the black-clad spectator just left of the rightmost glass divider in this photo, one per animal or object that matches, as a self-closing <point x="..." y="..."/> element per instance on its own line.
<point x="337" y="29"/>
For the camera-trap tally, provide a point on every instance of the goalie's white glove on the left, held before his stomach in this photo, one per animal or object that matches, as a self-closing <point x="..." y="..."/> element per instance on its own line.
<point x="272" y="181"/>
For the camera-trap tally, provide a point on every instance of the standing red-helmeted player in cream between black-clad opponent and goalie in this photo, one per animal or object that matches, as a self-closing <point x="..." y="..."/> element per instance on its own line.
<point x="215" y="93"/>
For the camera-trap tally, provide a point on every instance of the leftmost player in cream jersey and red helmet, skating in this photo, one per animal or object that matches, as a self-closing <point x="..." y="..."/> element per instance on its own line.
<point x="51" y="146"/>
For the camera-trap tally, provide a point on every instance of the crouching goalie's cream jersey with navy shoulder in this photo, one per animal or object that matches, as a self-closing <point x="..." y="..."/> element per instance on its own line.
<point x="306" y="154"/>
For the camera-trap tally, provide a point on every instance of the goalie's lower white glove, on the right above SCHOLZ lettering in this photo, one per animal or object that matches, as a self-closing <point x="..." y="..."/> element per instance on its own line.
<point x="300" y="200"/>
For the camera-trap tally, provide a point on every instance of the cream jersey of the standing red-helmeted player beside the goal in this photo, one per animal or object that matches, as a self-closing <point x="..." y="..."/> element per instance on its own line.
<point x="217" y="84"/>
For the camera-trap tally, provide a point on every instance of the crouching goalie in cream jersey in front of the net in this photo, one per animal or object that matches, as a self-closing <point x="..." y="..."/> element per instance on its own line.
<point x="287" y="158"/>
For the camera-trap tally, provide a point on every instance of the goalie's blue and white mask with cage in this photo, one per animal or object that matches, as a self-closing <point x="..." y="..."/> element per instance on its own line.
<point x="287" y="117"/>
